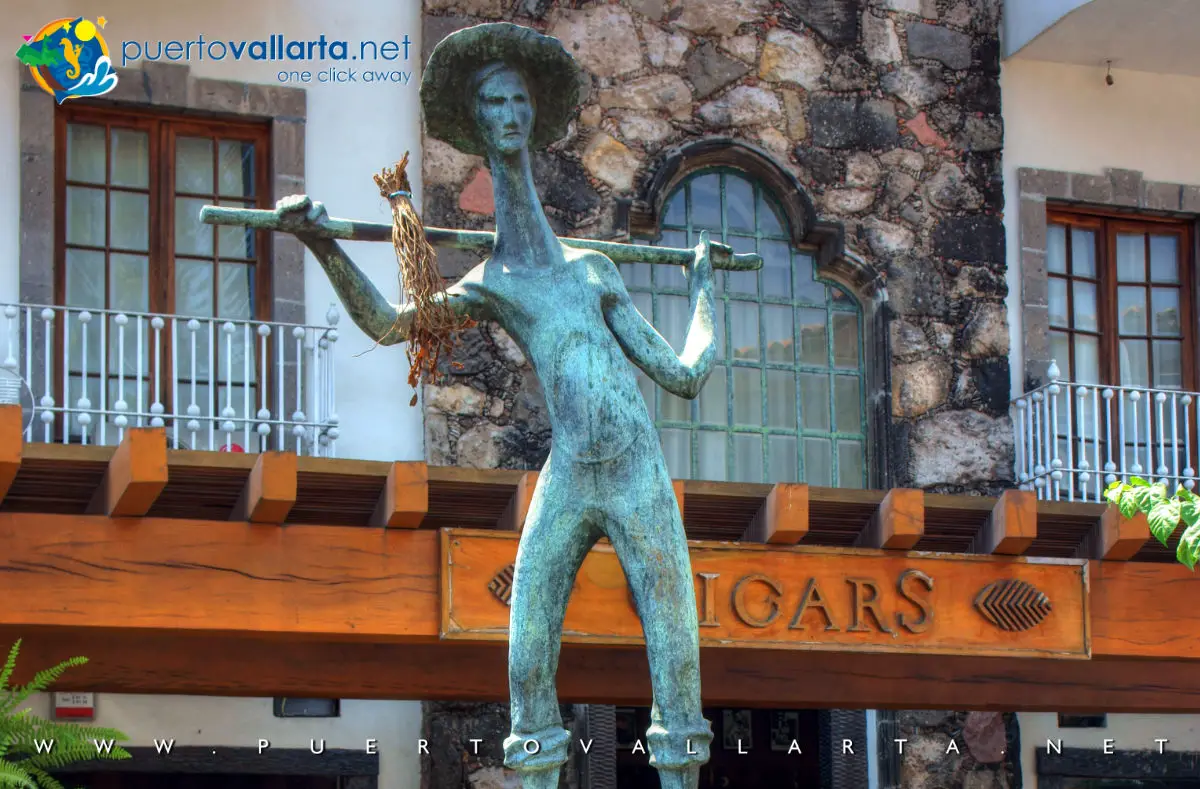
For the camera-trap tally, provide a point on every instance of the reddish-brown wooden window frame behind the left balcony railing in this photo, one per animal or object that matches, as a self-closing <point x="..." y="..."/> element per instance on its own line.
<point x="163" y="130"/>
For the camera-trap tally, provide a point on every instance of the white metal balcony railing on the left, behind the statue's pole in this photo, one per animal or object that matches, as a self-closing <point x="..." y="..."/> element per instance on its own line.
<point x="215" y="384"/>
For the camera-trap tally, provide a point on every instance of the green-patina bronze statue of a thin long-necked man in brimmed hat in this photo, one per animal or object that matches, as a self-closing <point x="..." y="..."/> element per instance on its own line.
<point x="500" y="91"/>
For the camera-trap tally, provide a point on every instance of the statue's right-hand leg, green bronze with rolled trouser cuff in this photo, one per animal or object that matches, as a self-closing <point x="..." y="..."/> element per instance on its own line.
<point x="650" y="541"/>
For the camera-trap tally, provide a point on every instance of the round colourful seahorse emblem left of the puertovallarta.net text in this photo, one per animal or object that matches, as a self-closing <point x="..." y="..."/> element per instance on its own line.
<point x="69" y="59"/>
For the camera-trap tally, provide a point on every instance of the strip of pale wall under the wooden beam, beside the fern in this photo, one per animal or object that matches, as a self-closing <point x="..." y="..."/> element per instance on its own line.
<point x="238" y="722"/>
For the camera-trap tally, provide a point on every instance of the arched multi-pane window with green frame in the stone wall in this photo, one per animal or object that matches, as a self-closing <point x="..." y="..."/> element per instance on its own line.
<point x="787" y="400"/>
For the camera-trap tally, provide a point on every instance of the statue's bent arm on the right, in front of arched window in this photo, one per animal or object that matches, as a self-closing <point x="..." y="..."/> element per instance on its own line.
<point x="682" y="375"/>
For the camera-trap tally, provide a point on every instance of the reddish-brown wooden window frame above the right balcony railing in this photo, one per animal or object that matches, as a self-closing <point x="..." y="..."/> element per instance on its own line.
<point x="1107" y="225"/>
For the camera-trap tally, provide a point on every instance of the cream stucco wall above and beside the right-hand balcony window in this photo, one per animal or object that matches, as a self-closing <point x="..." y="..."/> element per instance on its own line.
<point x="1065" y="118"/>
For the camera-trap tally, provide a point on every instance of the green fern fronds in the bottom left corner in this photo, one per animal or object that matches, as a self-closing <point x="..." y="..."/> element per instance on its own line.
<point x="32" y="748"/>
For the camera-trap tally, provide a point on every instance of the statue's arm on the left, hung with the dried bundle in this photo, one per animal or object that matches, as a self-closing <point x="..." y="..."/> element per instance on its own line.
<point x="370" y="311"/>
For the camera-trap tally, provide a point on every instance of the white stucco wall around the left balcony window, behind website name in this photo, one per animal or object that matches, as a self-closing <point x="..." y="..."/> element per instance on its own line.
<point x="353" y="131"/>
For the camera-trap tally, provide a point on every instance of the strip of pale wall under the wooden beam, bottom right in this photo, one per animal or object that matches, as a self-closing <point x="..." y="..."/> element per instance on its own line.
<point x="1126" y="732"/>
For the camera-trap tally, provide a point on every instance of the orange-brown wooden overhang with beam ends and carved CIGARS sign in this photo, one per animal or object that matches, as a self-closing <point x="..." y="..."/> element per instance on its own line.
<point x="241" y="575"/>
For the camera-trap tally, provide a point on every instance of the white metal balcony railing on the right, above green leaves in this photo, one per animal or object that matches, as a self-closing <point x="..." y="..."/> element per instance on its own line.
<point x="1076" y="439"/>
